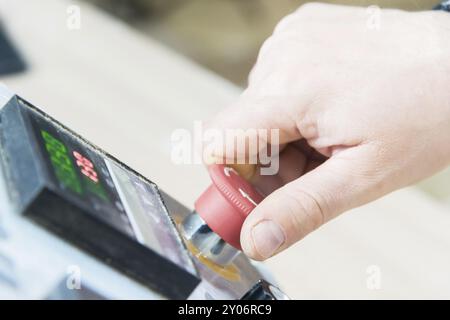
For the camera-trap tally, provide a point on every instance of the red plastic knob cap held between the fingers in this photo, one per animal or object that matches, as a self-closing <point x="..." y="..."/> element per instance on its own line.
<point x="226" y="203"/>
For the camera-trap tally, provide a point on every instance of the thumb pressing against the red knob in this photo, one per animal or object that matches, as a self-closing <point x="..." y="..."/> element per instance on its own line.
<point x="301" y="206"/>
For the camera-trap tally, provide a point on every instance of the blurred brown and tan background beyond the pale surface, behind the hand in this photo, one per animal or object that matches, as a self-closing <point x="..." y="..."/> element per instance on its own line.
<point x="222" y="35"/>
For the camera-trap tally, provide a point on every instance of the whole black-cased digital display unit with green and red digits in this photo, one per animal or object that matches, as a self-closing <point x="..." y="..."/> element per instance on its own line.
<point x="84" y="195"/>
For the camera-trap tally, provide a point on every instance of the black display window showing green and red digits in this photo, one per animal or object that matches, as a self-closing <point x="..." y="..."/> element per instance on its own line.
<point x="81" y="173"/>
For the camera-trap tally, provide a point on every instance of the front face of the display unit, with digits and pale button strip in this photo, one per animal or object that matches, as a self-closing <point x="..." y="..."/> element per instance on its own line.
<point x="107" y="189"/>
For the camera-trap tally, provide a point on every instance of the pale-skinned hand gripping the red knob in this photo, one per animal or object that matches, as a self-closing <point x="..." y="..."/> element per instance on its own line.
<point x="361" y="111"/>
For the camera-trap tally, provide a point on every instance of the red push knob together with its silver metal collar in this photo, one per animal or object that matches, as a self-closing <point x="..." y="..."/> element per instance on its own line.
<point x="215" y="226"/>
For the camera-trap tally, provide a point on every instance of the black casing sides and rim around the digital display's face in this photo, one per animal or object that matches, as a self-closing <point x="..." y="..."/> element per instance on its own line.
<point x="36" y="196"/>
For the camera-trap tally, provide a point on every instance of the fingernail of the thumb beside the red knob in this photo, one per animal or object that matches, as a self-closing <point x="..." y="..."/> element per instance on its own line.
<point x="267" y="238"/>
